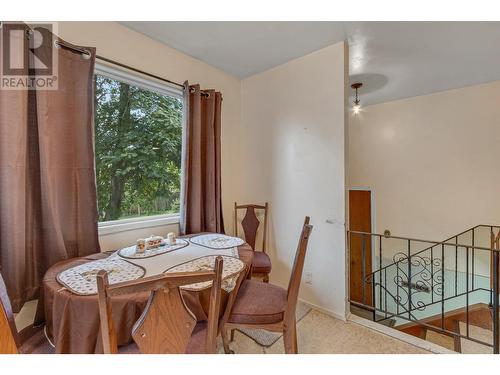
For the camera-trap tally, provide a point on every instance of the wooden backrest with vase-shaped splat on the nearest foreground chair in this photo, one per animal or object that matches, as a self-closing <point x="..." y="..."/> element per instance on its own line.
<point x="166" y="324"/>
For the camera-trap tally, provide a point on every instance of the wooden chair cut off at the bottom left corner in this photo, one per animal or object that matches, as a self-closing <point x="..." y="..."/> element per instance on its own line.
<point x="30" y="340"/>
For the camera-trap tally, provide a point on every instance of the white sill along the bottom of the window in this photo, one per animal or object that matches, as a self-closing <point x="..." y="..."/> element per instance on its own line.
<point x="117" y="226"/>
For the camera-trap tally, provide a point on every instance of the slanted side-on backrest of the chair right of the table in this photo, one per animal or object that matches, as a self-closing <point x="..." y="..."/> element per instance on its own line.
<point x="298" y="266"/>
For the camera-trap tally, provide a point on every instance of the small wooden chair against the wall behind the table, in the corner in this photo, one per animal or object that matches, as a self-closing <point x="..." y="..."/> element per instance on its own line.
<point x="261" y="264"/>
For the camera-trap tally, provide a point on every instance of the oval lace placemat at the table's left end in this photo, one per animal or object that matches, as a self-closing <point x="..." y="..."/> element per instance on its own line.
<point x="82" y="279"/>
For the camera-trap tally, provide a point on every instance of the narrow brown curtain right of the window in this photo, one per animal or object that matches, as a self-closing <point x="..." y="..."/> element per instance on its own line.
<point x="201" y="199"/>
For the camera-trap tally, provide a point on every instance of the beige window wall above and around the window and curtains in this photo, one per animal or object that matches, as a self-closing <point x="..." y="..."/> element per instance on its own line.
<point x="119" y="43"/>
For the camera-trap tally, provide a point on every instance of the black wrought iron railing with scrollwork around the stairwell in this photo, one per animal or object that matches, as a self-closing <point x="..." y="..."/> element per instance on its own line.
<point x="413" y="279"/>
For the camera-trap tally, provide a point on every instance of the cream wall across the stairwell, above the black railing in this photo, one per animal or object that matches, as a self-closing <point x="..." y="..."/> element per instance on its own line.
<point x="432" y="161"/>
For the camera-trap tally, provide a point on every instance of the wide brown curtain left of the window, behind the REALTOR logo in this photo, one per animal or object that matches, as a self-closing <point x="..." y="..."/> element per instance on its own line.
<point x="48" y="204"/>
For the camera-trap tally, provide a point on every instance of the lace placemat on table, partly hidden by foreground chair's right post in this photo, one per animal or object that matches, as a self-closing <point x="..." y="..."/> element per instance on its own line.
<point x="230" y="271"/>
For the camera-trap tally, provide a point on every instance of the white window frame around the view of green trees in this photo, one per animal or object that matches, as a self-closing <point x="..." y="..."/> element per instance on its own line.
<point x="151" y="84"/>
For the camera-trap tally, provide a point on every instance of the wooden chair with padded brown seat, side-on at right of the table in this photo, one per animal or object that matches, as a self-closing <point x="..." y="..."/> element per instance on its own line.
<point x="266" y="306"/>
